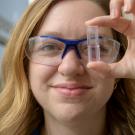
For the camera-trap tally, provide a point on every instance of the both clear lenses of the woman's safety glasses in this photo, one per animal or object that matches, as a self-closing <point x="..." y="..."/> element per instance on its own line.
<point x="48" y="51"/>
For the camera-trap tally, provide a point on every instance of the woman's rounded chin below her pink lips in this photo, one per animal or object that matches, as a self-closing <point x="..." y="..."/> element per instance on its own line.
<point x="70" y="113"/>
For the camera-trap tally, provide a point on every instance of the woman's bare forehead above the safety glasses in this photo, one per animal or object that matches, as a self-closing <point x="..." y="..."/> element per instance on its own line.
<point x="67" y="18"/>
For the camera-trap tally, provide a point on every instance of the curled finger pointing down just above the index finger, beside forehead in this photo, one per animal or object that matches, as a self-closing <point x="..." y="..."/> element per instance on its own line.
<point x="115" y="8"/>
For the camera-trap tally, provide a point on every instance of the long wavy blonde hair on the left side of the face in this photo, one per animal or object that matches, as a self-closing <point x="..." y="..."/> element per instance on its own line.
<point x="18" y="109"/>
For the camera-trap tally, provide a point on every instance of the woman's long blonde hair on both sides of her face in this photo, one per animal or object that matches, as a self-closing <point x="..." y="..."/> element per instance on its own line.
<point x="20" y="114"/>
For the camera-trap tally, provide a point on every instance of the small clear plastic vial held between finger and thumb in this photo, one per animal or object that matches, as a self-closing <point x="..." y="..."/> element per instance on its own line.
<point x="93" y="43"/>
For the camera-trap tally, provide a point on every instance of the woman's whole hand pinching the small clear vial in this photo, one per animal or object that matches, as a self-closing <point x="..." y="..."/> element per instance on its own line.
<point x="125" y="68"/>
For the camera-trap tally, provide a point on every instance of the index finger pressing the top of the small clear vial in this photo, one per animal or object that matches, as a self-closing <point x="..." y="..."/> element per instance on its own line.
<point x="120" y="24"/>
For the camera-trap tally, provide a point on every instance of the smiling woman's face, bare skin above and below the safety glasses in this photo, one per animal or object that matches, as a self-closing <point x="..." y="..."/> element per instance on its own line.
<point x="70" y="89"/>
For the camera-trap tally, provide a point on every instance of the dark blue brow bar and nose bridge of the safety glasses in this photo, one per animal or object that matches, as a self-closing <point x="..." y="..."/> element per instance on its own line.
<point x="69" y="44"/>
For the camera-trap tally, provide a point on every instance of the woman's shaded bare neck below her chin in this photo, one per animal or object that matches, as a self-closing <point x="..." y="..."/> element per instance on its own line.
<point x="90" y="125"/>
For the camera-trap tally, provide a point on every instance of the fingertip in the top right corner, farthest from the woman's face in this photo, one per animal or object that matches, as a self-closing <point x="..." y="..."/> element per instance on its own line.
<point x="129" y="6"/>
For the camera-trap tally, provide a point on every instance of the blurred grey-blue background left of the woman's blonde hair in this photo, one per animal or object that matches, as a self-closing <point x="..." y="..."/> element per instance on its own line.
<point x="10" y="12"/>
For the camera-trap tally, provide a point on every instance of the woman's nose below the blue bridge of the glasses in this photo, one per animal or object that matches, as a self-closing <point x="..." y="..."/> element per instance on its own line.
<point x="71" y="65"/>
